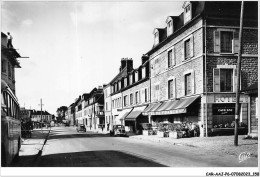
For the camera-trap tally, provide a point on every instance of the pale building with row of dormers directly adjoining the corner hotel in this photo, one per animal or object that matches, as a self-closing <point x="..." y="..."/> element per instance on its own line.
<point x="135" y="93"/>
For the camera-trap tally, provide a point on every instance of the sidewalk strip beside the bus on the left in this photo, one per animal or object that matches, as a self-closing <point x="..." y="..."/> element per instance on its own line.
<point x="31" y="147"/>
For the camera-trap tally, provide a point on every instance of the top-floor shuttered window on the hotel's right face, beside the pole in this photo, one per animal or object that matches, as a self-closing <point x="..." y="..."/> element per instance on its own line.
<point x="226" y="41"/>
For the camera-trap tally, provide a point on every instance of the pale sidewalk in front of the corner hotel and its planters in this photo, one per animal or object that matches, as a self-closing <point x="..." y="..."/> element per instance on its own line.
<point x="221" y="145"/>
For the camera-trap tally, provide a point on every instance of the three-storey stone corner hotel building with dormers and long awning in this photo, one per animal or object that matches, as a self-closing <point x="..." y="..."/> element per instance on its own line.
<point x="193" y="65"/>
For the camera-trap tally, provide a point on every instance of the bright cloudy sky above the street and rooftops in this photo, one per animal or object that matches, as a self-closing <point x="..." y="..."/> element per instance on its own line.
<point x="74" y="47"/>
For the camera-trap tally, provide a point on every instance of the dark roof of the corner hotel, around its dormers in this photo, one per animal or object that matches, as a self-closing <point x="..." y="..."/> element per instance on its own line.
<point x="207" y="9"/>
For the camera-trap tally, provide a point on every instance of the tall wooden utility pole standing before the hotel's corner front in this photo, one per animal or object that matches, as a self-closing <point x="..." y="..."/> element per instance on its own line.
<point x="238" y="75"/>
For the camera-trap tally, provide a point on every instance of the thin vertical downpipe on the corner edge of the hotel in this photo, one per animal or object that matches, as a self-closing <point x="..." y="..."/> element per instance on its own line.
<point x="206" y="89"/>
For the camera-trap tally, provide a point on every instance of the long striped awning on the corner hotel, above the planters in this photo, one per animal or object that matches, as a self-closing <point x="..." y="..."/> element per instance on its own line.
<point x="174" y="106"/>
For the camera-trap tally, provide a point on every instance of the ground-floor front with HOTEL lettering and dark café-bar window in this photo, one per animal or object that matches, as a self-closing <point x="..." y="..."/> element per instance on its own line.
<point x="221" y="113"/>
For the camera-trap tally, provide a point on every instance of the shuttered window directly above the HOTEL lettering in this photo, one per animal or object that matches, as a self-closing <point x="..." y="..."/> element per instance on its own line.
<point x="224" y="79"/>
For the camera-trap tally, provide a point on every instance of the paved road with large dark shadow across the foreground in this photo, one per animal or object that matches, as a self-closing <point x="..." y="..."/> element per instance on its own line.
<point x="67" y="148"/>
